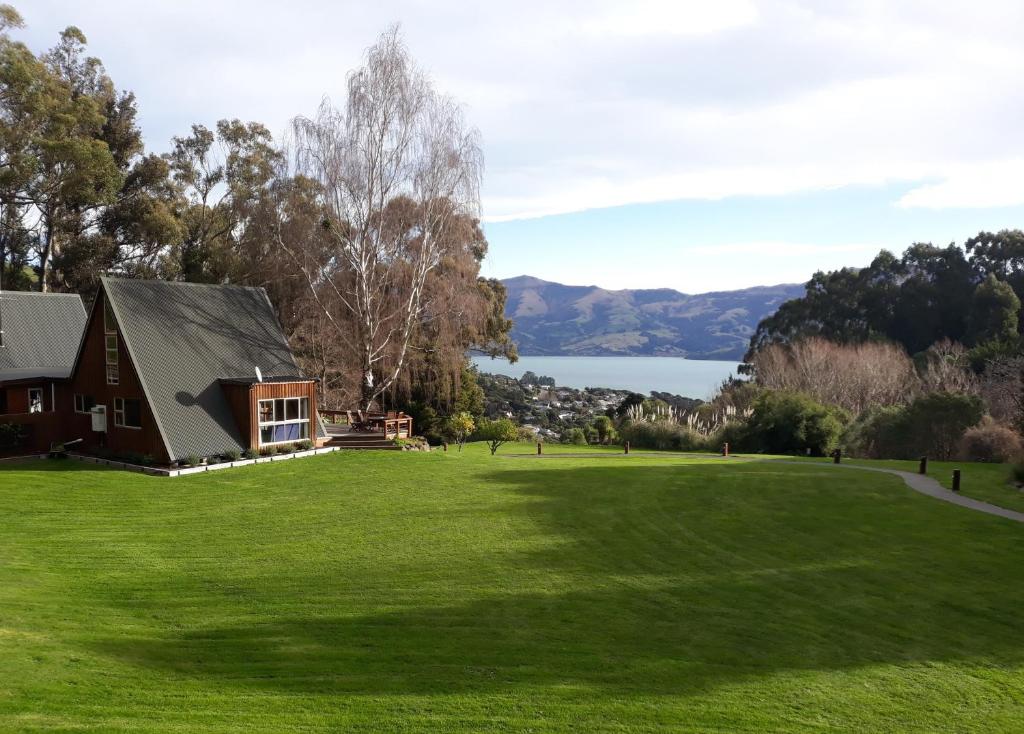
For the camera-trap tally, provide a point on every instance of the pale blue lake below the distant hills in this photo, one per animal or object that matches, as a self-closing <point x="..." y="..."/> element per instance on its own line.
<point x="691" y="378"/>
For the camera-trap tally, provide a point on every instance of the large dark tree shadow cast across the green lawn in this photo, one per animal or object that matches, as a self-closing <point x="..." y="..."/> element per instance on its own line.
<point x="664" y="581"/>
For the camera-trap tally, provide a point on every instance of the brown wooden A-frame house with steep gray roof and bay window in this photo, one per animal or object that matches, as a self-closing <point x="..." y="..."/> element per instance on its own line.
<point x="176" y="370"/>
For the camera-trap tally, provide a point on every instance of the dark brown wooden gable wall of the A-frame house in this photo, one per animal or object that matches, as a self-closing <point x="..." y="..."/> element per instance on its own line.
<point x="91" y="379"/>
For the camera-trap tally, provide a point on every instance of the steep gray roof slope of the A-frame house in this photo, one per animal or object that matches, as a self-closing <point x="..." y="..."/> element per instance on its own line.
<point x="184" y="338"/>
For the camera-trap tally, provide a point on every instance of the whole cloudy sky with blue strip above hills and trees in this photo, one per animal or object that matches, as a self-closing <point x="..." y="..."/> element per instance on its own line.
<point x="702" y="146"/>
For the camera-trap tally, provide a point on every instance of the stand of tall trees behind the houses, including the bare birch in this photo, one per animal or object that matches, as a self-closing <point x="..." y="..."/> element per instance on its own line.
<point x="372" y="260"/>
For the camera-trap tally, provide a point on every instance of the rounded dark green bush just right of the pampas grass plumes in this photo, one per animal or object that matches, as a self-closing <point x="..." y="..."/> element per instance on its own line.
<point x="792" y="423"/>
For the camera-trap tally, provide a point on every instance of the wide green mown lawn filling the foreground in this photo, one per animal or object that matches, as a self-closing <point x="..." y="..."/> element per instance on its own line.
<point x="468" y="593"/>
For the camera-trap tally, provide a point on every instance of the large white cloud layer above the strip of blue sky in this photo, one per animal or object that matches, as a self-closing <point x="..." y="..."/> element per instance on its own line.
<point x="586" y="105"/>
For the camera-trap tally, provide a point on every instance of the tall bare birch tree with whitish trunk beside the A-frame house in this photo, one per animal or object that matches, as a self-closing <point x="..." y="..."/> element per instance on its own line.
<point x="397" y="166"/>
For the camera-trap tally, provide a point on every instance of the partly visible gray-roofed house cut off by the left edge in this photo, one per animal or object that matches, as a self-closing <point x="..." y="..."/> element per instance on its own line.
<point x="39" y="338"/>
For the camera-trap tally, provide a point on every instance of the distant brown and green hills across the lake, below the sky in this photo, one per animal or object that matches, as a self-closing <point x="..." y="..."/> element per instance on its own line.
<point x="556" y="320"/>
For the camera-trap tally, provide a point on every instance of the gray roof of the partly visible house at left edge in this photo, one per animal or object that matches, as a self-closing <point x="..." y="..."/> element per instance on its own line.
<point x="41" y="334"/>
